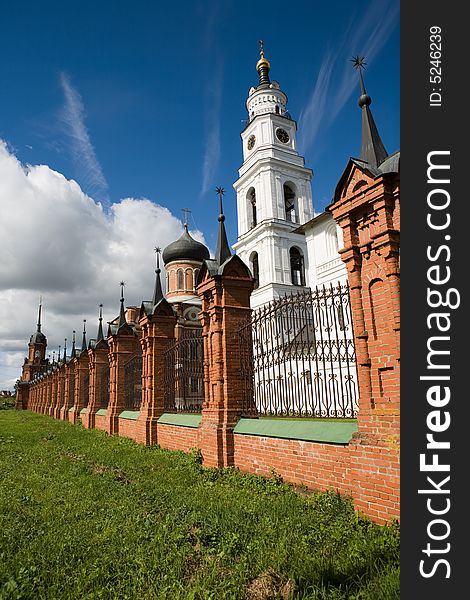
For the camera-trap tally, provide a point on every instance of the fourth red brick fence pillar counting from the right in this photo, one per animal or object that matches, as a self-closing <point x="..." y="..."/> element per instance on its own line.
<point x="122" y="346"/>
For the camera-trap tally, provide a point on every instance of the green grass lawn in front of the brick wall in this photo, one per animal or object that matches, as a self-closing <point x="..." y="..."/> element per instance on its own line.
<point x="86" y="515"/>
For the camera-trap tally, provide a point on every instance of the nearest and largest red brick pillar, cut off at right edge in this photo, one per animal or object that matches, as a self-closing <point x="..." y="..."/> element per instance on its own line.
<point x="367" y="209"/>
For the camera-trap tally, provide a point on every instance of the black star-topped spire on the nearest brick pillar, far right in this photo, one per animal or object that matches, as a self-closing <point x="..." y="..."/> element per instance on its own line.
<point x="372" y="148"/>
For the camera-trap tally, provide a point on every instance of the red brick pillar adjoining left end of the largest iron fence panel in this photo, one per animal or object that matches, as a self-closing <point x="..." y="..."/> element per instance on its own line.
<point x="225" y="294"/>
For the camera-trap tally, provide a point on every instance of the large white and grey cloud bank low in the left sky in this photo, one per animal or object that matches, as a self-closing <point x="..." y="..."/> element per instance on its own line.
<point x="58" y="242"/>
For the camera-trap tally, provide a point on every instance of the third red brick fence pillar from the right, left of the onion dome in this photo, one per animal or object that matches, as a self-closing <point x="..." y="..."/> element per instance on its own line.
<point x="157" y="332"/>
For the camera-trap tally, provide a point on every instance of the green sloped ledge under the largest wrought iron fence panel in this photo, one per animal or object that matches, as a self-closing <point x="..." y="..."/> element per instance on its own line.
<point x="332" y="432"/>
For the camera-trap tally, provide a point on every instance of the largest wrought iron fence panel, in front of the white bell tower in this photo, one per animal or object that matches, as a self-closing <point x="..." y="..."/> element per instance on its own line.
<point x="297" y="356"/>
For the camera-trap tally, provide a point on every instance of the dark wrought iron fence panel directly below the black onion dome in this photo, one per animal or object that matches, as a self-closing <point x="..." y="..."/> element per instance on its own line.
<point x="184" y="374"/>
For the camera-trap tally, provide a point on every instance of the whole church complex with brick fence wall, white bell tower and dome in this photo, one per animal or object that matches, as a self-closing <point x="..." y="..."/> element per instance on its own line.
<point x="302" y="322"/>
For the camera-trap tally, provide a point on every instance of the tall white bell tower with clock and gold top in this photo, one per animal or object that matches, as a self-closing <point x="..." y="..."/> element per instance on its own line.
<point x="274" y="194"/>
